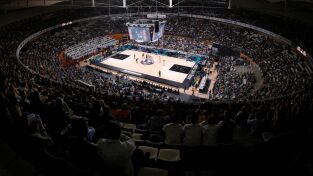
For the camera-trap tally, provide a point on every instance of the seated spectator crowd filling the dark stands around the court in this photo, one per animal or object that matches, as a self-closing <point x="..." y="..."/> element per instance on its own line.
<point x="51" y="113"/>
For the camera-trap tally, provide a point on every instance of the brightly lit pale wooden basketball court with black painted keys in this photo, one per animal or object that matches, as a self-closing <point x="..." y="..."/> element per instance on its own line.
<point x="163" y="69"/>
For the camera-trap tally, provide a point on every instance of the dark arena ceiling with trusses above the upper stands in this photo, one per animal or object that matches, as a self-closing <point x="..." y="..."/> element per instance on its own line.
<point x="300" y="10"/>
